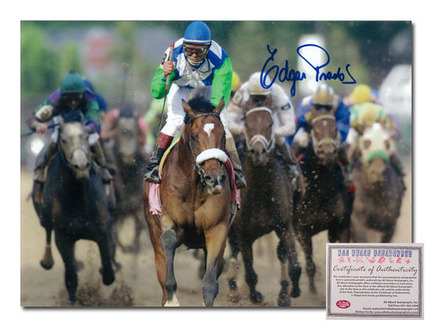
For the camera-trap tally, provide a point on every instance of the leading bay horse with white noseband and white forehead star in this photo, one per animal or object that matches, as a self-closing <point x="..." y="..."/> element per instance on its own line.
<point x="195" y="196"/>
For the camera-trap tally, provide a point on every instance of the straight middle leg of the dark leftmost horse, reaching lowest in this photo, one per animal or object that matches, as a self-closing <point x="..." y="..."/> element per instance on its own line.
<point x="66" y="249"/>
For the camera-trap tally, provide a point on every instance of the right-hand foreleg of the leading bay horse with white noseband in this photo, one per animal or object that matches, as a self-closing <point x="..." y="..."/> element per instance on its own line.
<point x="215" y="244"/>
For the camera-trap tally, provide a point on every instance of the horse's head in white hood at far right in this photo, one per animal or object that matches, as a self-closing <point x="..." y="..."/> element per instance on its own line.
<point x="375" y="145"/>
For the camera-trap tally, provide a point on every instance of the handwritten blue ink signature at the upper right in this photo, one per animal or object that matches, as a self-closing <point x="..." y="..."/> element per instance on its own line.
<point x="285" y="74"/>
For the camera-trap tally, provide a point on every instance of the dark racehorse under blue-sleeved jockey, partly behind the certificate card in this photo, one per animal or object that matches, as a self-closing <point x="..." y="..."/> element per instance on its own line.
<point x="325" y="205"/>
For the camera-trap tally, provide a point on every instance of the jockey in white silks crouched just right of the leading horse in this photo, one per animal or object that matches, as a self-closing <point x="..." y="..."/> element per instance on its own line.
<point x="282" y="114"/>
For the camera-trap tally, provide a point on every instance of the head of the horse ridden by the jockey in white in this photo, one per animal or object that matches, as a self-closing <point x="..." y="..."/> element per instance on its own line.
<point x="259" y="134"/>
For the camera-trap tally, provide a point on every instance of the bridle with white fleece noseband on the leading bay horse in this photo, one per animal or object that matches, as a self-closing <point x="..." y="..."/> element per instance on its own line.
<point x="213" y="153"/>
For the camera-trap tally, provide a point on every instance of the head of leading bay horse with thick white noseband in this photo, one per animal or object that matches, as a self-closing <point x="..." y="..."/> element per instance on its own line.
<point x="205" y="139"/>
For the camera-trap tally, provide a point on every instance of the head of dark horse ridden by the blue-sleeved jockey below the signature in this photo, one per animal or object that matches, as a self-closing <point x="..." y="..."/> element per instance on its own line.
<point x="325" y="135"/>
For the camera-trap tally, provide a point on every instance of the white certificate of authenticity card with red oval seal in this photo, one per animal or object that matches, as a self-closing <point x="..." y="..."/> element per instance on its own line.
<point x="374" y="280"/>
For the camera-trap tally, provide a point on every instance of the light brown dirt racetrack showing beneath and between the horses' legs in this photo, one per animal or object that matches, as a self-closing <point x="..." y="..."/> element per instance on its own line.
<point x="136" y="283"/>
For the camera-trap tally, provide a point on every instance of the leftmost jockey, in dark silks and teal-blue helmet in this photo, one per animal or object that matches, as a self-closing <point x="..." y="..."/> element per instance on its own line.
<point x="72" y="95"/>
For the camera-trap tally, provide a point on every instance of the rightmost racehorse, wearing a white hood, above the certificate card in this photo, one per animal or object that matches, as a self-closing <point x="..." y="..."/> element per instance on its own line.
<point x="379" y="190"/>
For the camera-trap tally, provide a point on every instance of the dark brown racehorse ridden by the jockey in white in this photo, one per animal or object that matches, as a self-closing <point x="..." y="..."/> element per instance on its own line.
<point x="267" y="205"/>
